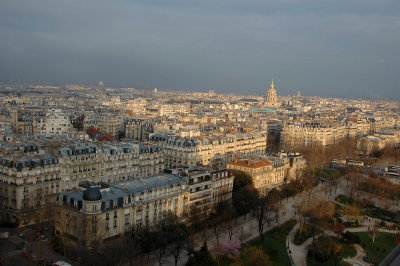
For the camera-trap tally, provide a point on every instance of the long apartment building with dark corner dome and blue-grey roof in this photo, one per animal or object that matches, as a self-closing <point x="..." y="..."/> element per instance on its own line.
<point x="93" y="214"/>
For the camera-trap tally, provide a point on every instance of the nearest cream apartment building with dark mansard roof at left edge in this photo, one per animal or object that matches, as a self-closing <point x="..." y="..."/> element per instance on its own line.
<point x="27" y="182"/>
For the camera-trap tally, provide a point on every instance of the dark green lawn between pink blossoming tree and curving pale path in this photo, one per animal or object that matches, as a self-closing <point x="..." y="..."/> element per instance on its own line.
<point x="274" y="245"/>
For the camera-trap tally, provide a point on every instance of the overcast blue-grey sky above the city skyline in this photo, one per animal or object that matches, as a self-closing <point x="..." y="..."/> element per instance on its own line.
<point x="343" y="48"/>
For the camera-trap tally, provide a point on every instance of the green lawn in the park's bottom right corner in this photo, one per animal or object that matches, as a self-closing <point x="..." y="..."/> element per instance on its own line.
<point x="384" y="243"/>
